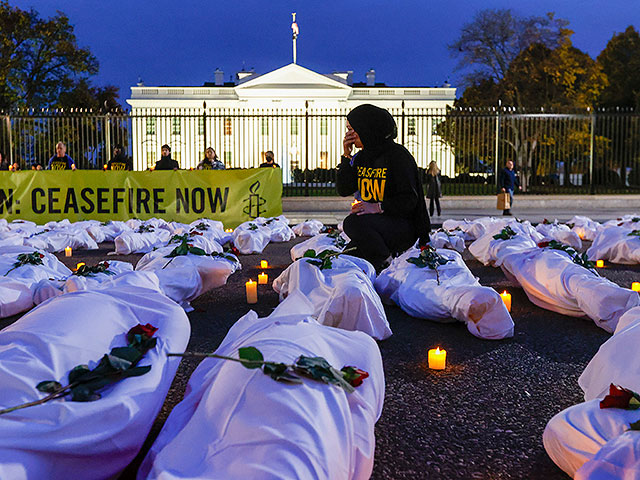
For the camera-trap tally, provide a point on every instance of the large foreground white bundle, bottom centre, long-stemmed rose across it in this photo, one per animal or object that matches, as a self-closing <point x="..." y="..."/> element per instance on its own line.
<point x="236" y="423"/>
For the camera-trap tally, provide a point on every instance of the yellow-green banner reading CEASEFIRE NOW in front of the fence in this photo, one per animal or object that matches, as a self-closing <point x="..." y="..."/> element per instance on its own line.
<point x="231" y="196"/>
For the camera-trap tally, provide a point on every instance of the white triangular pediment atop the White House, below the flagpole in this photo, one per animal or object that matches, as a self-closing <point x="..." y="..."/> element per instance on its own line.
<point x="293" y="81"/>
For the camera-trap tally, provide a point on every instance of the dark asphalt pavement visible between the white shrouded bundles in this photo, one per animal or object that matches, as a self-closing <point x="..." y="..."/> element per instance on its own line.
<point x="481" y="418"/>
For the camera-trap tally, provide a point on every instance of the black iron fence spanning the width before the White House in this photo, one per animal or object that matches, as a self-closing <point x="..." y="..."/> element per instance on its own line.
<point x="583" y="152"/>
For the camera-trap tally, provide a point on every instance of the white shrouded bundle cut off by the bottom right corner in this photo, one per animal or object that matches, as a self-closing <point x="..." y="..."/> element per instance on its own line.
<point x="591" y="442"/>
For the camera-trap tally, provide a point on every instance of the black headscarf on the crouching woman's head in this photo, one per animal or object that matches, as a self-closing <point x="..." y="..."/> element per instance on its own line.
<point x="374" y="125"/>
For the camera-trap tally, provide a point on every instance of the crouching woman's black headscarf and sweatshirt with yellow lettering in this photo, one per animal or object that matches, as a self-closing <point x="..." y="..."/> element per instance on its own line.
<point x="383" y="171"/>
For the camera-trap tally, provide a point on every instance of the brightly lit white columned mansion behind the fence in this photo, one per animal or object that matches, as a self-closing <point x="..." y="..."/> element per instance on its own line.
<point x="295" y="112"/>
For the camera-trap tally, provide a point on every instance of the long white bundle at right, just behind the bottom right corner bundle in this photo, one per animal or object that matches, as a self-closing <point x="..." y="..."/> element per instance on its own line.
<point x="553" y="281"/>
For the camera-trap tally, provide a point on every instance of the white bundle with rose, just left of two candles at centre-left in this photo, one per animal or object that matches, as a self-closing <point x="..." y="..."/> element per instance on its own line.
<point x="212" y="272"/>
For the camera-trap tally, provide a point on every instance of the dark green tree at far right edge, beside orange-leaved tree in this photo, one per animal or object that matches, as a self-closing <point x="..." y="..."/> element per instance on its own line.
<point x="620" y="61"/>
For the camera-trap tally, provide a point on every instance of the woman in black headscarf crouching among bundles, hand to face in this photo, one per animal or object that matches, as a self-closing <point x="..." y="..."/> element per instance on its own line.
<point x="392" y="213"/>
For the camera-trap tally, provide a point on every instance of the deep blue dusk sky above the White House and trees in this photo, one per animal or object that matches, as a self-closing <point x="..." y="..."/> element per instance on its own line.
<point x="166" y="42"/>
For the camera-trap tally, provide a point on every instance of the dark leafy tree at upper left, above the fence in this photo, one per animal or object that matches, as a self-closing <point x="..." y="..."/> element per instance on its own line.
<point x="40" y="60"/>
